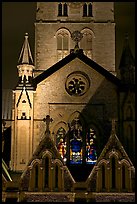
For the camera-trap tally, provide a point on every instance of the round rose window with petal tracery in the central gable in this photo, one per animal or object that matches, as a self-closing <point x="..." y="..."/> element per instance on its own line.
<point x="77" y="83"/>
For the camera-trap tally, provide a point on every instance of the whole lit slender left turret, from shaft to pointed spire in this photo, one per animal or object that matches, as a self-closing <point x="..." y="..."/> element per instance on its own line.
<point x="22" y="112"/>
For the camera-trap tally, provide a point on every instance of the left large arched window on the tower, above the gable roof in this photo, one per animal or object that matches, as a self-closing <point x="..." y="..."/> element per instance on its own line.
<point x="62" y="44"/>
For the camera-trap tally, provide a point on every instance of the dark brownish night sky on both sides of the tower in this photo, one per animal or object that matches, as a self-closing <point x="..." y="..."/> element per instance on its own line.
<point x="19" y="17"/>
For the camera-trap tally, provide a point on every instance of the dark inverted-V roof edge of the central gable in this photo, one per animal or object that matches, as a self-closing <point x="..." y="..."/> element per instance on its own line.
<point x="73" y="55"/>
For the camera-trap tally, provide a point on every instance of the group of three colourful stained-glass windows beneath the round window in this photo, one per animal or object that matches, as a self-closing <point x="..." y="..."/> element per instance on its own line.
<point x="77" y="145"/>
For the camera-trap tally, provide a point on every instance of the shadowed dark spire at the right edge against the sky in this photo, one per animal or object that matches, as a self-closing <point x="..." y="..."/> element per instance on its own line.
<point x="127" y="64"/>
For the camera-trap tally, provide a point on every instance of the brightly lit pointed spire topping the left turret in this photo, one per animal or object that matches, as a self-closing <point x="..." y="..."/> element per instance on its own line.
<point x="25" y="65"/>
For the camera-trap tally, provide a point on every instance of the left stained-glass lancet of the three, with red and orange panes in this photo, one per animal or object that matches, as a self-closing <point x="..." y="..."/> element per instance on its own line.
<point x="61" y="142"/>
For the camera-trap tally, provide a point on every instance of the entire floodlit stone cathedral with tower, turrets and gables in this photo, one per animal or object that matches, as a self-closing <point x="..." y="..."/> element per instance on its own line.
<point x="71" y="136"/>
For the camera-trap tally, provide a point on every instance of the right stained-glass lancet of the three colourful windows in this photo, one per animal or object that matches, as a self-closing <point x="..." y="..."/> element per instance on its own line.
<point x="91" y="154"/>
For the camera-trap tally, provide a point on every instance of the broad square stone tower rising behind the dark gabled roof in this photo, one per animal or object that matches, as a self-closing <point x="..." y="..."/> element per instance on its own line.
<point x="55" y="22"/>
